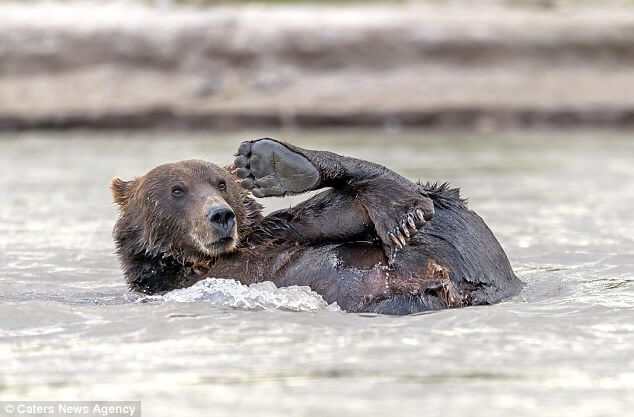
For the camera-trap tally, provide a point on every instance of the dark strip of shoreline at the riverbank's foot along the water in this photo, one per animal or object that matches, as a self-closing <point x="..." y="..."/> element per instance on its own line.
<point x="478" y="119"/>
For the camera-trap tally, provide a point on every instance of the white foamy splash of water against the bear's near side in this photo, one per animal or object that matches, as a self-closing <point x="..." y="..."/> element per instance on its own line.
<point x="259" y="296"/>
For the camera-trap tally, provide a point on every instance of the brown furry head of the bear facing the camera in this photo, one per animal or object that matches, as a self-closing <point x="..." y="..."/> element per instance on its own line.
<point x="188" y="210"/>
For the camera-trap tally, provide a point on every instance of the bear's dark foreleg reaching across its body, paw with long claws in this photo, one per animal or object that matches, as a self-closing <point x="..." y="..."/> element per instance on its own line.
<point x="366" y="210"/>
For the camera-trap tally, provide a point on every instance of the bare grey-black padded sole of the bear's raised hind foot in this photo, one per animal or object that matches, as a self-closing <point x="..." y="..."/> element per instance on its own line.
<point x="269" y="168"/>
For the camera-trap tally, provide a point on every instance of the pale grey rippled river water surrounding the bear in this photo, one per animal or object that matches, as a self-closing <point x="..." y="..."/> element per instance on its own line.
<point x="560" y="203"/>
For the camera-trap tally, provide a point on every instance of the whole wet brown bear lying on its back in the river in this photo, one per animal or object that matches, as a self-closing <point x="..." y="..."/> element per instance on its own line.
<point x="372" y="242"/>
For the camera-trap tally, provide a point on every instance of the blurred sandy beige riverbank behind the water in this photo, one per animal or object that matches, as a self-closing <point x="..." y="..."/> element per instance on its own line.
<point x="128" y="66"/>
